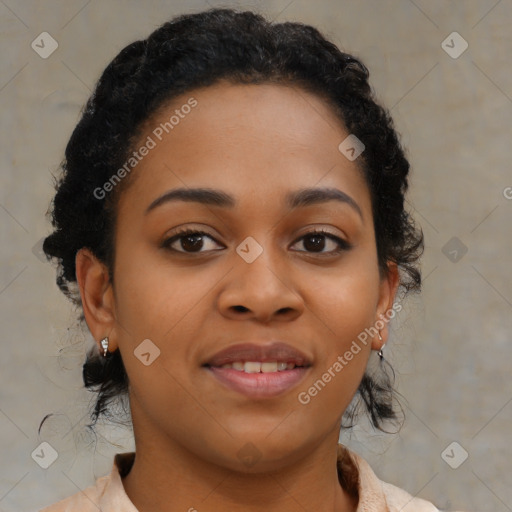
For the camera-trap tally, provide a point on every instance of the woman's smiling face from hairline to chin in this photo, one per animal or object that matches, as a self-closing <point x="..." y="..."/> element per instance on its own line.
<point x="256" y="287"/>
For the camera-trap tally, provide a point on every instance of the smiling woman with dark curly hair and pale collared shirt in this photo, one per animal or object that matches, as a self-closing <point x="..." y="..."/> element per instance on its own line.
<point x="232" y="211"/>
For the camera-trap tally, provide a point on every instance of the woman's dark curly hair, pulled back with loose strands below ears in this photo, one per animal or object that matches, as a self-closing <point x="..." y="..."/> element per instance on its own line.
<point x="197" y="50"/>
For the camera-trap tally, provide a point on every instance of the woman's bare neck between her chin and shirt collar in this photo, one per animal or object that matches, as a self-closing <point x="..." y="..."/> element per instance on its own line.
<point x="172" y="479"/>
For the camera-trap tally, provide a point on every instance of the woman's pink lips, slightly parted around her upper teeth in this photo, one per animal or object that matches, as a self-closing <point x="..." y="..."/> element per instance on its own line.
<point x="259" y="385"/>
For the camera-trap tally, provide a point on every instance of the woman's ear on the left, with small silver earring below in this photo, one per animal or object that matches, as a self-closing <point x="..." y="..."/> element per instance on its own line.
<point x="97" y="297"/>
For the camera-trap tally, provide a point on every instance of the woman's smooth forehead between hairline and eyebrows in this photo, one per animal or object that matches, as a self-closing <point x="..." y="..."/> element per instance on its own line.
<point x="252" y="139"/>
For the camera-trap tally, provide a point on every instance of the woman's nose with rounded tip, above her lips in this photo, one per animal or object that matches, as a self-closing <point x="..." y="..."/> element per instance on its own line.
<point x="263" y="290"/>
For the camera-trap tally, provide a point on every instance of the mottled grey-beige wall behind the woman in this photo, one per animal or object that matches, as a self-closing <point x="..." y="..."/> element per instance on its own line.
<point x="451" y="346"/>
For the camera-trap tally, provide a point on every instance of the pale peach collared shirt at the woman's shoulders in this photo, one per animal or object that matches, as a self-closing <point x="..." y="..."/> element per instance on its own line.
<point x="354" y="473"/>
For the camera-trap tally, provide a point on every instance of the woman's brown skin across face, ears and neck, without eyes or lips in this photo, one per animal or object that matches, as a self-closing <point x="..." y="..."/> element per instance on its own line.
<point x="257" y="143"/>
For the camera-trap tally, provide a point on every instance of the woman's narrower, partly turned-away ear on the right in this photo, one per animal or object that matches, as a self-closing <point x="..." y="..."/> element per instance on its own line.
<point x="385" y="310"/>
